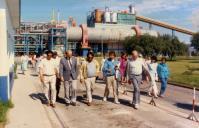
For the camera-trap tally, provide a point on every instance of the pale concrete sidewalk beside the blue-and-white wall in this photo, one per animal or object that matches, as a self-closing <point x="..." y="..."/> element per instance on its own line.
<point x="27" y="112"/>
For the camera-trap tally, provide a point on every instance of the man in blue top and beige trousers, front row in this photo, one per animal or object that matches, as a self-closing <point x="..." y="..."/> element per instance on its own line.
<point x="109" y="73"/>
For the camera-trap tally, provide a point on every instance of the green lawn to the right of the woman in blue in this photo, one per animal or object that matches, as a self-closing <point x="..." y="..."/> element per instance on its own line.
<point x="185" y="72"/>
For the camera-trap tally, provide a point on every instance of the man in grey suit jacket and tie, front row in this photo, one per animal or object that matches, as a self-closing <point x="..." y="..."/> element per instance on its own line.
<point x="68" y="73"/>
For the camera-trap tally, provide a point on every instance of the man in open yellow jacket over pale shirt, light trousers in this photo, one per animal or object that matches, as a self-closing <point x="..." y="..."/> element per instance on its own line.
<point x="90" y="70"/>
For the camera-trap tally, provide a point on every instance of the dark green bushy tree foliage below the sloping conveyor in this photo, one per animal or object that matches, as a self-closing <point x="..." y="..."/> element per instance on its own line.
<point x="150" y="45"/>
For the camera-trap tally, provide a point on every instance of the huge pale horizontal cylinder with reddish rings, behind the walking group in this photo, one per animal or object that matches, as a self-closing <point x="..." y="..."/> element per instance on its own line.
<point x="105" y="34"/>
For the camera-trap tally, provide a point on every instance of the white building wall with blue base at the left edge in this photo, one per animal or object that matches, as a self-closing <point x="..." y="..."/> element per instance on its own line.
<point x="6" y="47"/>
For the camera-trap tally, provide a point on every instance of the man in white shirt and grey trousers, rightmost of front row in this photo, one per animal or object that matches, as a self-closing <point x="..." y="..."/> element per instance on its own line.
<point x="134" y="73"/>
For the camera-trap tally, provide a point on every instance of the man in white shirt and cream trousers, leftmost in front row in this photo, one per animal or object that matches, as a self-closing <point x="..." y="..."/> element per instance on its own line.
<point x="48" y="72"/>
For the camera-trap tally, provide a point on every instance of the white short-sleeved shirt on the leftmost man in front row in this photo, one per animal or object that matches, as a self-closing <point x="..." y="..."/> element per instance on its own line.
<point x="48" y="66"/>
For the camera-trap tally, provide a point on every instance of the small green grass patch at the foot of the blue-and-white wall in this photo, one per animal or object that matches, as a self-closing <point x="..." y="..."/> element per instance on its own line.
<point x="4" y="107"/>
